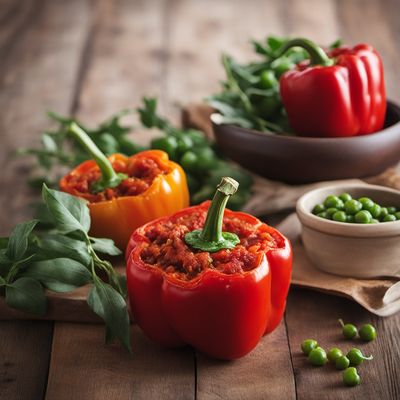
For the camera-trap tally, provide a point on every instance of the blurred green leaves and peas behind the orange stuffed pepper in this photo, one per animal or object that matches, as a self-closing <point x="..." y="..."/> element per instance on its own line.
<point x="203" y="162"/>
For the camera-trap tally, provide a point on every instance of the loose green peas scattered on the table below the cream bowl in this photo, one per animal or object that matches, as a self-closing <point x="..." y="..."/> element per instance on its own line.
<point x="346" y="362"/>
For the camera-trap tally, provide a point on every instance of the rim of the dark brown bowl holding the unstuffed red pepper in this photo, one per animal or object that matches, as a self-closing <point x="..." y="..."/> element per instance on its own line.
<point x="389" y="130"/>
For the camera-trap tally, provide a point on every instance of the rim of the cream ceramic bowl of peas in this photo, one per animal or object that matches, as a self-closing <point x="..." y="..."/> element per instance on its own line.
<point x="387" y="229"/>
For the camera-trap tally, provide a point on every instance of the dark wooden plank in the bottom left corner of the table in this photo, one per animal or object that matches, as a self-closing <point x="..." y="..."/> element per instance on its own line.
<point x="24" y="359"/>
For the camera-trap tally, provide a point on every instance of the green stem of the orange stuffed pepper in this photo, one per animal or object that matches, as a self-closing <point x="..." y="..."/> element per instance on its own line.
<point x="109" y="178"/>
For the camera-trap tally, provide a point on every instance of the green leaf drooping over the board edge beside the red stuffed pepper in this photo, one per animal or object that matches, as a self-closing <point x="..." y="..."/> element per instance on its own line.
<point x="108" y="304"/>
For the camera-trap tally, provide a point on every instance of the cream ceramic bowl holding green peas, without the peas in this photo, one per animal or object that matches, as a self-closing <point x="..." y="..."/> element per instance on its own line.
<point x="356" y="250"/>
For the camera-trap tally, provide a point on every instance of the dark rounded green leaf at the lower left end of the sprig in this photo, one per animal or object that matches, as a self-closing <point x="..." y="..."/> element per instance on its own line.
<point x="26" y="294"/>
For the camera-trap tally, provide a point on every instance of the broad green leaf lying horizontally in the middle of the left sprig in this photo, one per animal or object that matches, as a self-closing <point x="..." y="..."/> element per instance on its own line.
<point x="59" y="274"/>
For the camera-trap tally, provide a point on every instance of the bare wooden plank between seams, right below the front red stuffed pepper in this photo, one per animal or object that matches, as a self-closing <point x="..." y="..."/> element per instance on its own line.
<point x="265" y="373"/>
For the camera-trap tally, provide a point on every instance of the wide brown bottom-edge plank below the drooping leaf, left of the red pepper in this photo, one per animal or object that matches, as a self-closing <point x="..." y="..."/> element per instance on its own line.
<point x="83" y="368"/>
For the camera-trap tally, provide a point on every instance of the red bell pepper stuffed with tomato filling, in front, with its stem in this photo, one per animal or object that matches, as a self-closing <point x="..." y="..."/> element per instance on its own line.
<point x="219" y="292"/>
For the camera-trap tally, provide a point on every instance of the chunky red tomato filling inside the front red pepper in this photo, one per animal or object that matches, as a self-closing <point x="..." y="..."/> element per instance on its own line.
<point x="166" y="248"/>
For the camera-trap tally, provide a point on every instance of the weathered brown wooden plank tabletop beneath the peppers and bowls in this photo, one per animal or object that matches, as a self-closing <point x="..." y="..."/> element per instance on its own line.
<point x="92" y="58"/>
